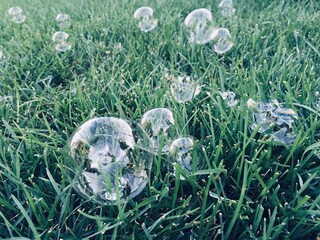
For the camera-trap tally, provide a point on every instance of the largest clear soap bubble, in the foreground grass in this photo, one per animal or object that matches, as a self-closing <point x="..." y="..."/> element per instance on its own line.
<point x="108" y="160"/>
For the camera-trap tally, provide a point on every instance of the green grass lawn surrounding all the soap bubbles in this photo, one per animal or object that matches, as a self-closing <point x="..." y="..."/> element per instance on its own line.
<point x="249" y="187"/>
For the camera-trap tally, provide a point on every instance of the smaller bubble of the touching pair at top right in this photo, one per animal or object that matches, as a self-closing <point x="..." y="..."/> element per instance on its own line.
<point x="222" y="38"/>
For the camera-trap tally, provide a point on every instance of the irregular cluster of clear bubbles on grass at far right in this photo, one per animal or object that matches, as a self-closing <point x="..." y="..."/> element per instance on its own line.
<point x="270" y="118"/>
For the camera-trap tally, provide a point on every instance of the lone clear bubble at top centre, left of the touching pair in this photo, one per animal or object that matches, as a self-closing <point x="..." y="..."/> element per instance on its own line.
<point x="146" y="21"/>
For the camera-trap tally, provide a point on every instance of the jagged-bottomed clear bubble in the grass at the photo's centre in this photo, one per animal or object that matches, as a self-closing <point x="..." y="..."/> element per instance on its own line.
<point x="184" y="89"/>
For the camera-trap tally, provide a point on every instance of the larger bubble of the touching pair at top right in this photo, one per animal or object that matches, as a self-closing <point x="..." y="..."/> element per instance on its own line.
<point x="198" y="23"/>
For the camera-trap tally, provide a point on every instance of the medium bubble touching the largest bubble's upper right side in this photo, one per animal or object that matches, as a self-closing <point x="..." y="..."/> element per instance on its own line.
<point x="157" y="123"/>
